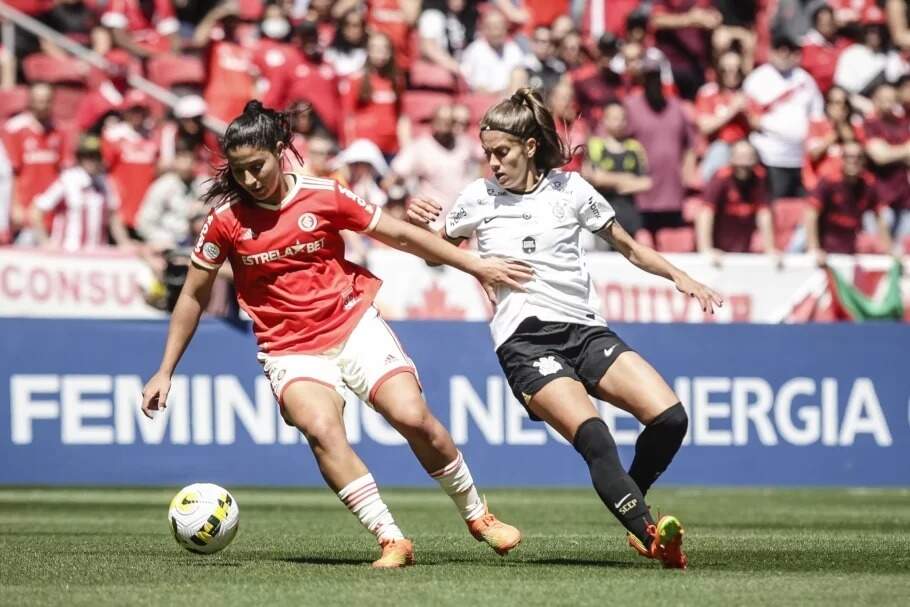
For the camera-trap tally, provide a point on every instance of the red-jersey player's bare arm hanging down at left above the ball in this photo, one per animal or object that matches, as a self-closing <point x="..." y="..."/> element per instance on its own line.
<point x="193" y="299"/>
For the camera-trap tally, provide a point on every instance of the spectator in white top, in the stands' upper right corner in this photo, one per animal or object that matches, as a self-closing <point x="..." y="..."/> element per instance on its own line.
<point x="863" y="65"/>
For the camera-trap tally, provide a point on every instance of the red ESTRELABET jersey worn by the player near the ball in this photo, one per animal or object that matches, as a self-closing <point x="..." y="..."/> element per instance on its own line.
<point x="289" y="267"/>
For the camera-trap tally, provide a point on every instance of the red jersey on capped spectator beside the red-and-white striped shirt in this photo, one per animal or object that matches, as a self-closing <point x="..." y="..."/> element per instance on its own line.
<point x="132" y="160"/>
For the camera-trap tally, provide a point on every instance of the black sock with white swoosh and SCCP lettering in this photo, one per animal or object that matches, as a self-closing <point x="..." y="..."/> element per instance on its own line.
<point x="615" y="487"/>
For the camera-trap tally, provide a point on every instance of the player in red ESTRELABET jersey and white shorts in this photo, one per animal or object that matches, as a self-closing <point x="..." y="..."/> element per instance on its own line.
<point x="315" y="324"/>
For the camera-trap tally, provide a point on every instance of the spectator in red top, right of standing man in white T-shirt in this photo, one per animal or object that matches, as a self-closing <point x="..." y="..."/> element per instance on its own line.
<point x="827" y="137"/>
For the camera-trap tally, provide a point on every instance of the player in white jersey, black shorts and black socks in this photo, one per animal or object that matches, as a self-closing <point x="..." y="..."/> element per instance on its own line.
<point x="552" y="342"/>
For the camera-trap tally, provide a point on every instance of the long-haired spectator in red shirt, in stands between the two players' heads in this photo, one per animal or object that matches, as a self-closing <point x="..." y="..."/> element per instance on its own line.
<point x="371" y="99"/>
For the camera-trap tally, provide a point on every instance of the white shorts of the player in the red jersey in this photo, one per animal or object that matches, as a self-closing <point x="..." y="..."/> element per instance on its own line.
<point x="362" y="363"/>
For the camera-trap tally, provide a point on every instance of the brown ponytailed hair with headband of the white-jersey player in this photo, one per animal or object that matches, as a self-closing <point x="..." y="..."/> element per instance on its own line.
<point x="524" y="115"/>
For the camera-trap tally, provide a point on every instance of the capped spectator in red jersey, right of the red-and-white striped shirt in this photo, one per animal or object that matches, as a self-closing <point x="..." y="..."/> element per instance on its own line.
<point x="130" y="152"/>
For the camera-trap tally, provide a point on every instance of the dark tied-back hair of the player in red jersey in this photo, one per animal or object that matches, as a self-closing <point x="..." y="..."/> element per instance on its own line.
<point x="260" y="128"/>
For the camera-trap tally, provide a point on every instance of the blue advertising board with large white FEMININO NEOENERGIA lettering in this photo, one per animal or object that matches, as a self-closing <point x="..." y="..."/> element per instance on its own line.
<point x="790" y="405"/>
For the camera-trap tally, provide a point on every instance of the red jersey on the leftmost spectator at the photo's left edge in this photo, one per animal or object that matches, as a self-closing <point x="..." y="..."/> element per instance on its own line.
<point x="35" y="154"/>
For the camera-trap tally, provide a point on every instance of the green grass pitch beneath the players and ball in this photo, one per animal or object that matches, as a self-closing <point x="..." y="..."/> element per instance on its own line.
<point x="301" y="547"/>
